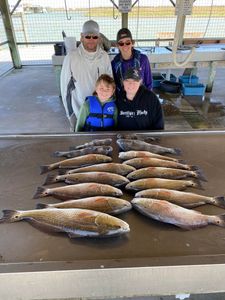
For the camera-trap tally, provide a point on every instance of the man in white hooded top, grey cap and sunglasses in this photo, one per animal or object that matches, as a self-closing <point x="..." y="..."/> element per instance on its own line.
<point x="81" y="69"/>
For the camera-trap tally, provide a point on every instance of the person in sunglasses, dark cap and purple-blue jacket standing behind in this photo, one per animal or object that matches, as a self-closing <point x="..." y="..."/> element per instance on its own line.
<point x="129" y="57"/>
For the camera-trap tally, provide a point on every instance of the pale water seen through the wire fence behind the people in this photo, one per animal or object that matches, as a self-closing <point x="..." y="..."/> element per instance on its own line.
<point x="47" y="27"/>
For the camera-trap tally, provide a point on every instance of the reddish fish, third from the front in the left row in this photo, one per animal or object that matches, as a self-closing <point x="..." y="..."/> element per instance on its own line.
<point x="77" y="191"/>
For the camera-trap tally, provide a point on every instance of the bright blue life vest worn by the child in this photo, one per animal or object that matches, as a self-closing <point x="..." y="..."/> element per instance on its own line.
<point x="100" y="117"/>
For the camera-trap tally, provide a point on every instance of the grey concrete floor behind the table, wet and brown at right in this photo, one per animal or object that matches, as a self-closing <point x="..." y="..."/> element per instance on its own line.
<point x="29" y="103"/>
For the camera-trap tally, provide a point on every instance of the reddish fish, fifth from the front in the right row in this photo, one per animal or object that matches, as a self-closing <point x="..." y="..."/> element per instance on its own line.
<point x="142" y="162"/>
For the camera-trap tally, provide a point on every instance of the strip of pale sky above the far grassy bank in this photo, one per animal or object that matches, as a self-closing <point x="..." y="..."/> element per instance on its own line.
<point x="104" y="3"/>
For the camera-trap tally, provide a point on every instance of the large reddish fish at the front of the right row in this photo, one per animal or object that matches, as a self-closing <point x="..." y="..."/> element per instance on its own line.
<point x="167" y="212"/>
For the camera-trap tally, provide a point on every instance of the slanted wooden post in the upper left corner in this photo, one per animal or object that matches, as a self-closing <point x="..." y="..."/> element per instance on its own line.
<point x="4" y="7"/>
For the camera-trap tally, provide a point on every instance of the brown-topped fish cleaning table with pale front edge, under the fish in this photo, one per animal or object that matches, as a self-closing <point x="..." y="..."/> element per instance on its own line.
<point x="153" y="259"/>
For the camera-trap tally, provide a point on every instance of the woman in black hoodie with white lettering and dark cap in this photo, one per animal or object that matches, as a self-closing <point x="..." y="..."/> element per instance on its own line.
<point x="138" y="108"/>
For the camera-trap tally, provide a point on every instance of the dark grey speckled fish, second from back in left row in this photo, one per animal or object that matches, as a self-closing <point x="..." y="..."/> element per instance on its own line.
<point x="105" y="150"/>
